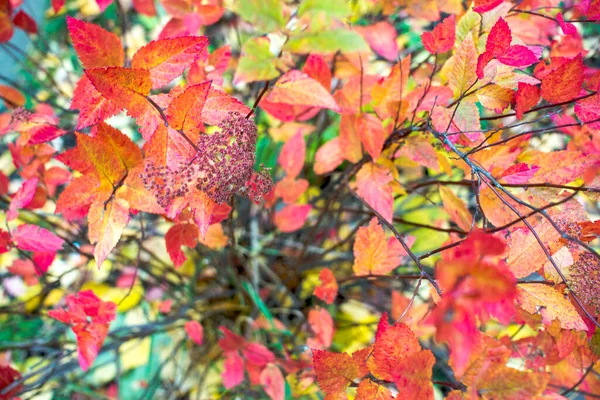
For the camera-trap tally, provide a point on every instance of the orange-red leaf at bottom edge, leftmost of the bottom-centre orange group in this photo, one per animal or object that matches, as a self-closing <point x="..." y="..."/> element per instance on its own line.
<point x="335" y="371"/>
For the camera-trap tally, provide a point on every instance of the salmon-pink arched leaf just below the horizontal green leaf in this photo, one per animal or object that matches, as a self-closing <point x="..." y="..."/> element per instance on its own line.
<point x="297" y="88"/>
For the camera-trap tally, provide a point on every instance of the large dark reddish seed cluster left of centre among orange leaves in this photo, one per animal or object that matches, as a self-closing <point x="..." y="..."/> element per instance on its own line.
<point x="222" y="167"/>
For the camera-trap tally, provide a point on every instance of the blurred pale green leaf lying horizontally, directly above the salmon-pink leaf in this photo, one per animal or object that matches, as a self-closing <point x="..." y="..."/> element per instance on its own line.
<point x="330" y="41"/>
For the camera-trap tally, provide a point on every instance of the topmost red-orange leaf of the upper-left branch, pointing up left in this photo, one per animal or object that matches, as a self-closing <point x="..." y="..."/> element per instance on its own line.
<point x="95" y="47"/>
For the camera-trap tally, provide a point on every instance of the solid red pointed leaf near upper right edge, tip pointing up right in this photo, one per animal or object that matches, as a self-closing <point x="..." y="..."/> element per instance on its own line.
<point x="564" y="83"/>
